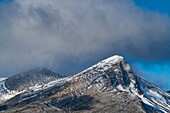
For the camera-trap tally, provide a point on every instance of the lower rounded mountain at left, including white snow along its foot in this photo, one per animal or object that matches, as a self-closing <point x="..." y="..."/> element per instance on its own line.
<point x="21" y="82"/>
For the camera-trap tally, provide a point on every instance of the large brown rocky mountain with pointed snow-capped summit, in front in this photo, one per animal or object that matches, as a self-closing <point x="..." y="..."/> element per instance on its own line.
<point x="109" y="86"/>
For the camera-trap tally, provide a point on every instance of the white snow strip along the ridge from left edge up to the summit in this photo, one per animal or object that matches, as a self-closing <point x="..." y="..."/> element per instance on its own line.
<point x="10" y="94"/>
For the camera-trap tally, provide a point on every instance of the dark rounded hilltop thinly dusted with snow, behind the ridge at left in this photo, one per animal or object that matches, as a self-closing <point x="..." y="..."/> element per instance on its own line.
<point x="30" y="78"/>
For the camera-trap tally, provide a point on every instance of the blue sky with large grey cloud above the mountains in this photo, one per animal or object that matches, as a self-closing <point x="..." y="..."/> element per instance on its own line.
<point x="69" y="36"/>
